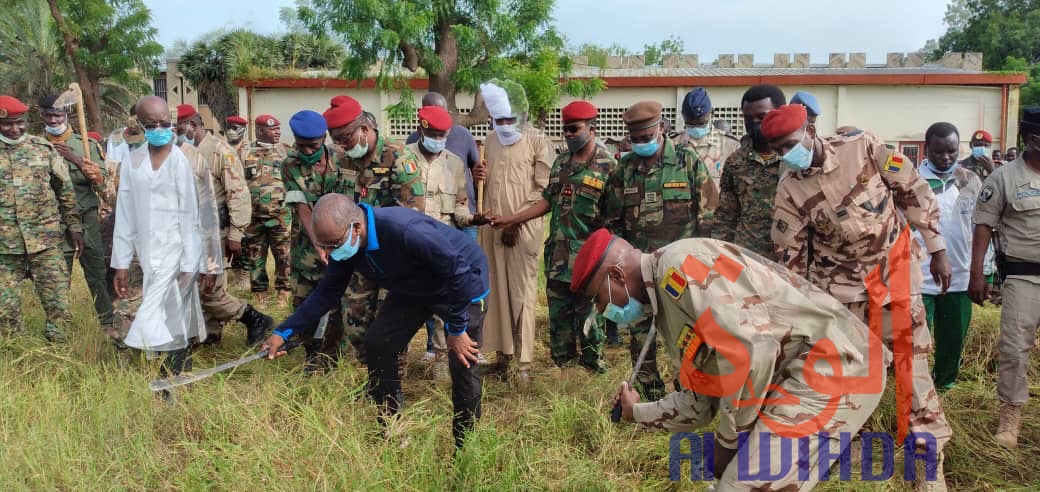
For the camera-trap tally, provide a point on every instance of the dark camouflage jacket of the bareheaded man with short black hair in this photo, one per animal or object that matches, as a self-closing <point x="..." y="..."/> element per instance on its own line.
<point x="746" y="196"/>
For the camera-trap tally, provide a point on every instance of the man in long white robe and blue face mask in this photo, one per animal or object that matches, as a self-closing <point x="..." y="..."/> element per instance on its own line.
<point x="158" y="218"/>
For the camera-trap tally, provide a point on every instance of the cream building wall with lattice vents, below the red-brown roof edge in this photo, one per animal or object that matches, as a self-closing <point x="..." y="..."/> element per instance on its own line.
<point x="898" y="114"/>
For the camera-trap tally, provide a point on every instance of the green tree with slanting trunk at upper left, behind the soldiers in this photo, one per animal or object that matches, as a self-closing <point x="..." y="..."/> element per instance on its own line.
<point x="111" y="41"/>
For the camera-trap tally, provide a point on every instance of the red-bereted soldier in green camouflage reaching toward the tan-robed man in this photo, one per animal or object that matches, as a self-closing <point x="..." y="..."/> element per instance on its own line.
<point x="578" y="198"/>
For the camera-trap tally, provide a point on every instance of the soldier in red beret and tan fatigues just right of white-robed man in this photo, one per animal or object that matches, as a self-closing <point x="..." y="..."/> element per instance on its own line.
<point x="235" y="212"/>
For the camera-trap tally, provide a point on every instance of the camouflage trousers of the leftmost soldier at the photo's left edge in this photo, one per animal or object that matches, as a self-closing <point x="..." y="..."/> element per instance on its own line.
<point x="50" y="279"/>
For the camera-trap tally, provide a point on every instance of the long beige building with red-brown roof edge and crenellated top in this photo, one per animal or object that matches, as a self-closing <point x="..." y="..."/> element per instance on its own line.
<point x="898" y="100"/>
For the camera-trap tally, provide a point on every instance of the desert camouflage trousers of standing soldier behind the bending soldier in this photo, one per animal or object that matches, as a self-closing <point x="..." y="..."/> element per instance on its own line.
<point x="926" y="412"/>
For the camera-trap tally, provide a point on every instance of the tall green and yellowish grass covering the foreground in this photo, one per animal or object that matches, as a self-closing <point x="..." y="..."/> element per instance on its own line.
<point x="81" y="418"/>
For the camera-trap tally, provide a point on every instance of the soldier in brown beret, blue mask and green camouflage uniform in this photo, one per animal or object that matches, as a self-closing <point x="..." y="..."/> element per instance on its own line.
<point x="659" y="195"/>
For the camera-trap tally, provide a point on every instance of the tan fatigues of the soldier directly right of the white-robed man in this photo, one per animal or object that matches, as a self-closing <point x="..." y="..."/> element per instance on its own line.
<point x="235" y="211"/>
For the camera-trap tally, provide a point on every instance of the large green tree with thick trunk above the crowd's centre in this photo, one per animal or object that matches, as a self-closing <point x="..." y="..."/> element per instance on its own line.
<point x="458" y="44"/>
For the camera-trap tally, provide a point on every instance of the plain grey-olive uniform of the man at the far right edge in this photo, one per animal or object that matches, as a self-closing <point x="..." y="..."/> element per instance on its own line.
<point x="1010" y="203"/>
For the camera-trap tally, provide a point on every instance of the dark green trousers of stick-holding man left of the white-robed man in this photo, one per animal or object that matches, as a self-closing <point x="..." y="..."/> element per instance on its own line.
<point x="93" y="262"/>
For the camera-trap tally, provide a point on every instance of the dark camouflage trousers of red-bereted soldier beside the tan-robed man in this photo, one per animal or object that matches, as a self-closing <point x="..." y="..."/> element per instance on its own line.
<point x="567" y="317"/>
